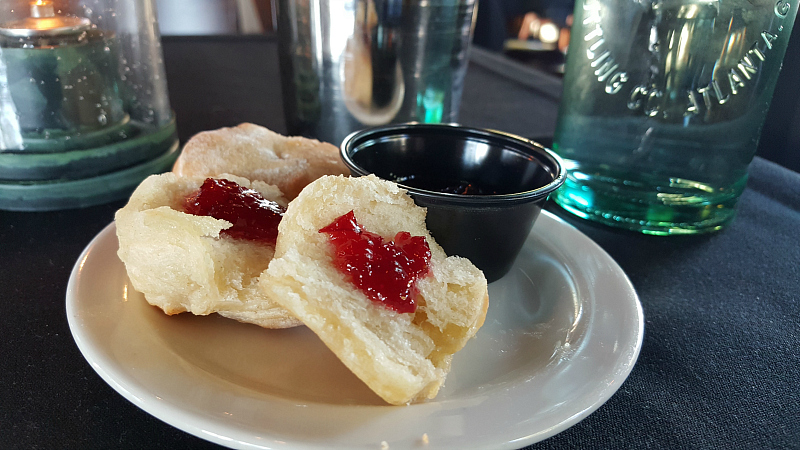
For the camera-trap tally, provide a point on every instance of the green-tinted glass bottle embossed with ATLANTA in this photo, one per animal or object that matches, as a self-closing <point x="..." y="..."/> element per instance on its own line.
<point x="663" y="106"/>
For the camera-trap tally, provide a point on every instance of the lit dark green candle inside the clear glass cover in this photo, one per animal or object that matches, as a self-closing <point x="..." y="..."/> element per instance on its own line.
<point x="62" y="78"/>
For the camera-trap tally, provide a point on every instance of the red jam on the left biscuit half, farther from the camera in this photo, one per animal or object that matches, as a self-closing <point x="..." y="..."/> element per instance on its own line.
<point x="254" y="218"/>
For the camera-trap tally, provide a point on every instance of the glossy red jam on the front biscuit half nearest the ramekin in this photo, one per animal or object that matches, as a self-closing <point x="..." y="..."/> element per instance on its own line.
<point x="386" y="272"/>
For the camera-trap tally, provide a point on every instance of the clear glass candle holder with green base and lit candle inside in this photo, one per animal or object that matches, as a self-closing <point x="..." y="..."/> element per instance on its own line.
<point x="84" y="111"/>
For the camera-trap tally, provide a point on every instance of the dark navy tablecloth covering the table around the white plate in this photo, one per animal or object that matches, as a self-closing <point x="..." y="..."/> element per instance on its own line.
<point x="719" y="366"/>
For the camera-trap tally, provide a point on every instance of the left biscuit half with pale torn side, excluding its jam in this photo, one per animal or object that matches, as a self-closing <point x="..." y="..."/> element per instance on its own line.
<point x="181" y="263"/>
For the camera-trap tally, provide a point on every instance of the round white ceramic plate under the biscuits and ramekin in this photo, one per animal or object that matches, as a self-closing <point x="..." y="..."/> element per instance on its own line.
<point x="563" y="331"/>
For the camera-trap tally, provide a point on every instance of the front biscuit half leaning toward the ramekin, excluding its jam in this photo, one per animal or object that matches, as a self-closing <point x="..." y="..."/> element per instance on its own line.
<point x="402" y="357"/>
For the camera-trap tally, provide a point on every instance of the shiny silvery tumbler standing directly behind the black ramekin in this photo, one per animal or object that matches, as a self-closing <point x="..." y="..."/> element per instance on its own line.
<point x="347" y="65"/>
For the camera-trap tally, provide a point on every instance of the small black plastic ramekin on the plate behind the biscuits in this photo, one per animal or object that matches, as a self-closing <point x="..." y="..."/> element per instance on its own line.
<point x="483" y="189"/>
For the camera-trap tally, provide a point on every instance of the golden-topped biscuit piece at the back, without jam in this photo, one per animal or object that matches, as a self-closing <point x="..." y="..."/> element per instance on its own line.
<point x="257" y="153"/>
